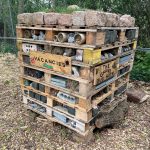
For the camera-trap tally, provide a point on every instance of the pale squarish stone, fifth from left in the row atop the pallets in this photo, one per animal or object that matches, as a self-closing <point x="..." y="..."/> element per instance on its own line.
<point x="78" y="18"/>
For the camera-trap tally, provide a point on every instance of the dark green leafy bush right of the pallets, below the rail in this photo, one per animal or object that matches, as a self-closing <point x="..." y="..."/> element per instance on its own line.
<point x="141" y="68"/>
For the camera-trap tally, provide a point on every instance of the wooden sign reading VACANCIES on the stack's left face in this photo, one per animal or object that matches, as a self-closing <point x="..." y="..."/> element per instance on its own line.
<point x="51" y="61"/>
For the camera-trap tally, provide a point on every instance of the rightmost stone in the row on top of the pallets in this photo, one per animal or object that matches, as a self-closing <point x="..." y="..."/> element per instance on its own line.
<point x="127" y="21"/>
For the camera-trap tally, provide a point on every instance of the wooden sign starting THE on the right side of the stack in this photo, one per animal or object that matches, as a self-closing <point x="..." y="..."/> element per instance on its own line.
<point x="104" y="72"/>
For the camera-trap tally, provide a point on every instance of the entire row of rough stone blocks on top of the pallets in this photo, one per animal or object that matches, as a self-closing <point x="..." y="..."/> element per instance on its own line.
<point x="78" y="18"/>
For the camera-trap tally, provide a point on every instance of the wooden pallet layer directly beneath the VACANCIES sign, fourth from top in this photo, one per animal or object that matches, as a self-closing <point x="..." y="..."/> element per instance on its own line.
<point x="83" y="86"/>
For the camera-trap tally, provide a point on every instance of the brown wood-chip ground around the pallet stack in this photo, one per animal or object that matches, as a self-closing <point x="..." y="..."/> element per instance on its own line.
<point x="17" y="132"/>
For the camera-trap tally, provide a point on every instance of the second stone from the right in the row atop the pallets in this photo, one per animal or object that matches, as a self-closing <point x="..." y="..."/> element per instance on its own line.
<point x="112" y="20"/>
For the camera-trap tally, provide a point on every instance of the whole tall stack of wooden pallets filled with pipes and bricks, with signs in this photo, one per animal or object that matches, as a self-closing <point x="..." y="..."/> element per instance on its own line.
<point x="74" y="74"/>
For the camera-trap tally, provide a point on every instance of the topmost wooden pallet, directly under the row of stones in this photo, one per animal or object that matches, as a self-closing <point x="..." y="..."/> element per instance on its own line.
<point x="94" y="37"/>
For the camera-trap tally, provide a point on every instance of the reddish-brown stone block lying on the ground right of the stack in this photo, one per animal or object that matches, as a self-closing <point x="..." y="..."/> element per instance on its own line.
<point x="136" y="95"/>
